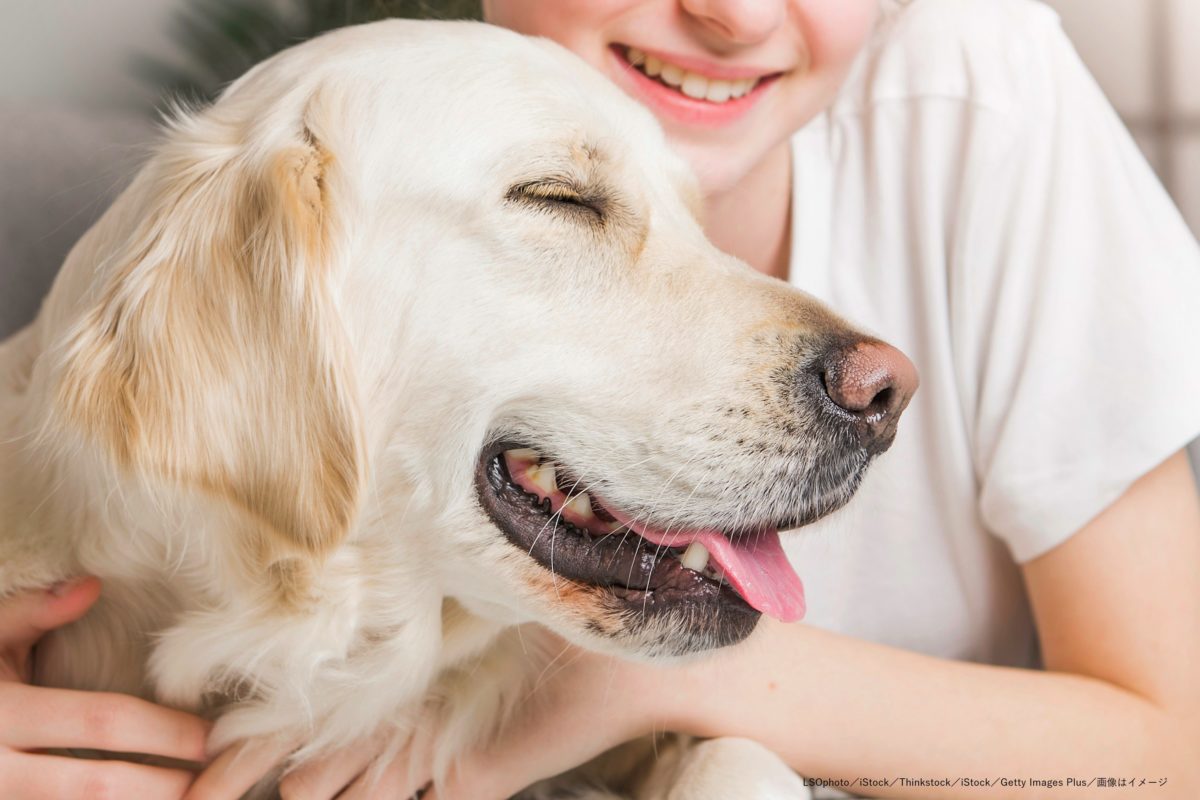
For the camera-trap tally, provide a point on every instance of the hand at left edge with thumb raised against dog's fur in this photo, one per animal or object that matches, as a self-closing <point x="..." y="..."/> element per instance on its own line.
<point x="34" y="719"/>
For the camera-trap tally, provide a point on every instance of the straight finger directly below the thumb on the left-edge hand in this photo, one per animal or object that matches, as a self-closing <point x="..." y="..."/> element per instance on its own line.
<point x="35" y="718"/>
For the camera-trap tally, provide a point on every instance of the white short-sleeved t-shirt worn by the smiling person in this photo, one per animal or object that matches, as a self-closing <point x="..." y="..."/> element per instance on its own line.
<point x="974" y="200"/>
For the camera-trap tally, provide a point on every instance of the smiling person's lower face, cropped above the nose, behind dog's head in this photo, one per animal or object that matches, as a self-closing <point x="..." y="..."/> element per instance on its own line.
<point x="793" y="55"/>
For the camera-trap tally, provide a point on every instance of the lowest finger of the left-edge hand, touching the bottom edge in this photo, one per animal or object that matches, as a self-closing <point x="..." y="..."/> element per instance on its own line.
<point x="25" y="777"/>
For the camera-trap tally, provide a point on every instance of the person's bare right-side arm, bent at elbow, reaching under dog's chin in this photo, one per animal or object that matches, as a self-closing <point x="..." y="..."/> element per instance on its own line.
<point x="1119" y="615"/>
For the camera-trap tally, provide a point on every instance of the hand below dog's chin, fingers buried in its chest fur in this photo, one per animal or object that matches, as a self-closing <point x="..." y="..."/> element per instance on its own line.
<point x="581" y="706"/>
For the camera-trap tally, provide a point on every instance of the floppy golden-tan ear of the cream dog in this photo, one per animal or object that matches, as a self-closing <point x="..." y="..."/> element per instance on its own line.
<point x="213" y="354"/>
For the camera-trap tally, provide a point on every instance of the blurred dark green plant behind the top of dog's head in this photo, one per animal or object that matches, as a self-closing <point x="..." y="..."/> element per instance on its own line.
<point x="221" y="39"/>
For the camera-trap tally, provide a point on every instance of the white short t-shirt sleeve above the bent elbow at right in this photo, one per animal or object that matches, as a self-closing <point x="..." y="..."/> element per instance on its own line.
<point x="1076" y="297"/>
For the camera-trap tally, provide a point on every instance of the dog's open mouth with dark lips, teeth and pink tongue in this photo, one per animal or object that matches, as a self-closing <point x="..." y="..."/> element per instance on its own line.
<point x="545" y="510"/>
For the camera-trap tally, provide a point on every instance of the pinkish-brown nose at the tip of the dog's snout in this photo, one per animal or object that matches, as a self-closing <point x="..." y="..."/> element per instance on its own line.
<point x="871" y="383"/>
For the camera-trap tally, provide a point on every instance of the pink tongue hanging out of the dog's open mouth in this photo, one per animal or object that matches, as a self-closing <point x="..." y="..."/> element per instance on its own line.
<point x="755" y="566"/>
